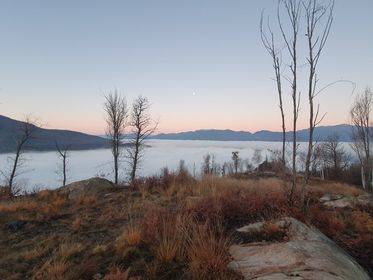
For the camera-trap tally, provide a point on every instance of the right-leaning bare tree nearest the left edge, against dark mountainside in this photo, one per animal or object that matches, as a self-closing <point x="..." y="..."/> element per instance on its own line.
<point x="24" y="134"/>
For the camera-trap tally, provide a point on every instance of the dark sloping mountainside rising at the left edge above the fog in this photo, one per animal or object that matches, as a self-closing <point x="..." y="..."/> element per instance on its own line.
<point x="45" y="139"/>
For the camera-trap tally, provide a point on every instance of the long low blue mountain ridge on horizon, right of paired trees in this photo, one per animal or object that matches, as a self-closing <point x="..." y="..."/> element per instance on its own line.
<point x="321" y="133"/>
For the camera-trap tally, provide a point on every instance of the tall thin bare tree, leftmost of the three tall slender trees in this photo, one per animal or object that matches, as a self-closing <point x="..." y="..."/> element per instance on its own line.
<point x="268" y="40"/>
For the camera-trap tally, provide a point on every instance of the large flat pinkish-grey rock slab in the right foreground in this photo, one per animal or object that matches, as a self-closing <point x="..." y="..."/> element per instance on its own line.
<point x="306" y="254"/>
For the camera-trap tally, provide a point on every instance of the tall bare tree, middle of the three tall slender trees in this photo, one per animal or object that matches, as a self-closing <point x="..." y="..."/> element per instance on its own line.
<point x="292" y="12"/>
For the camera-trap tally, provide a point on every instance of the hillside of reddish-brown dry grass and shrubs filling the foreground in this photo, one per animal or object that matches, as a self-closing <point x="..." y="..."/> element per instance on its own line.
<point x="169" y="227"/>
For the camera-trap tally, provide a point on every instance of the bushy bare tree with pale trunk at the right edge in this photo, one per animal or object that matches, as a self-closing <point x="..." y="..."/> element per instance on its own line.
<point x="361" y="134"/>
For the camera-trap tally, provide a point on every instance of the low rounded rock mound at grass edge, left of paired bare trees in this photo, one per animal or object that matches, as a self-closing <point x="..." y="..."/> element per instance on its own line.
<point x="93" y="186"/>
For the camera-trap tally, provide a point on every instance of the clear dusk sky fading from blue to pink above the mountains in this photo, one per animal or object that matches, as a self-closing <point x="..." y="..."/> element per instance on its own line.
<point x="200" y="62"/>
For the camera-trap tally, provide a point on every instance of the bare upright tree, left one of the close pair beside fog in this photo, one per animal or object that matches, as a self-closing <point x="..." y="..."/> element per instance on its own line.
<point x="116" y="110"/>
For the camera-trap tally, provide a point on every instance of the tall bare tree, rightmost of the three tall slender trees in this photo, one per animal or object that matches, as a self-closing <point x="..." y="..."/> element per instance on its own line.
<point x="319" y="19"/>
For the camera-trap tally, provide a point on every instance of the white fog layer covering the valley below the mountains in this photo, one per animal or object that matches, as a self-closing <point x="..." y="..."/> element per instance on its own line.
<point x="40" y="169"/>
